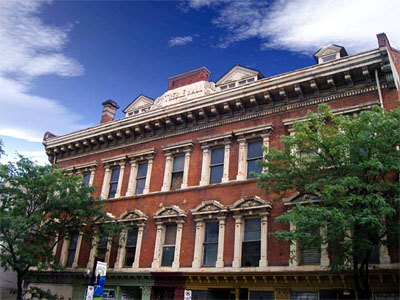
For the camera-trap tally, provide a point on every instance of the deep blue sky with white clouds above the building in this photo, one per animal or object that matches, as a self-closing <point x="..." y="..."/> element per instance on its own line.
<point x="59" y="60"/>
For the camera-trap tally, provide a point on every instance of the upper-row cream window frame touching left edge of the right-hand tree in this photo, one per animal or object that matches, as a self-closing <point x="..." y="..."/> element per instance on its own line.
<point x="245" y="135"/>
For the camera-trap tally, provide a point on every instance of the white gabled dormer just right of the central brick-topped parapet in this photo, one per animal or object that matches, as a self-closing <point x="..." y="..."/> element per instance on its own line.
<point x="238" y="76"/>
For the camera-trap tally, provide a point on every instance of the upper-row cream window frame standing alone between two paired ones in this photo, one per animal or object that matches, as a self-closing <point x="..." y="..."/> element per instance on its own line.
<point x="170" y="151"/>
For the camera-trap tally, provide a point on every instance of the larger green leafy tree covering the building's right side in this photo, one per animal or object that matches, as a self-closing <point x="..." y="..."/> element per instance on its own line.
<point x="351" y="166"/>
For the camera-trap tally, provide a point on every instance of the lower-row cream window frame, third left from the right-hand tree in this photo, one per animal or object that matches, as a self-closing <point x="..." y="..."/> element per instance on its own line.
<point x="163" y="217"/>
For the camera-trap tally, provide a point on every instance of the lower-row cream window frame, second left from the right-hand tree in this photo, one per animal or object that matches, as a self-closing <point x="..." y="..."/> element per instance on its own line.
<point x="210" y="210"/>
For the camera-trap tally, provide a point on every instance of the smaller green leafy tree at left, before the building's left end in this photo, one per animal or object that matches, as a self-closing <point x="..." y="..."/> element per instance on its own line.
<point x="40" y="206"/>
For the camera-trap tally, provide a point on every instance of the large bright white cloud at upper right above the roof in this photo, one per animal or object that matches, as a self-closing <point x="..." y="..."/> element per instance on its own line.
<point x="305" y="25"/>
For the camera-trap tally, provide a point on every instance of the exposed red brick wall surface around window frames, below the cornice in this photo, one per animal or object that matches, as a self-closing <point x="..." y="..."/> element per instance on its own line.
<point x="226" y="194"/>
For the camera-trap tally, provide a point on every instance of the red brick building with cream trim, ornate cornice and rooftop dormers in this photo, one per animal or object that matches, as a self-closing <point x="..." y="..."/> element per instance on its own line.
<point x="177" y="171"/>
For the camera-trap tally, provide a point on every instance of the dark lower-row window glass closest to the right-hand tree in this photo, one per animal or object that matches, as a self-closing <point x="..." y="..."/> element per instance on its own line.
<point x="251" y="246"/>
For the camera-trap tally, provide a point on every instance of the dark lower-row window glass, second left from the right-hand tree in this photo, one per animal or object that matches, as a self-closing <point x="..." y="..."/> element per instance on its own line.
<point x="210" y="245"/>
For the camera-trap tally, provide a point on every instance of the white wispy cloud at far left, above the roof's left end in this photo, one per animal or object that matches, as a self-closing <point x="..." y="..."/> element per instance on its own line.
<point x="30" y="49"/>
